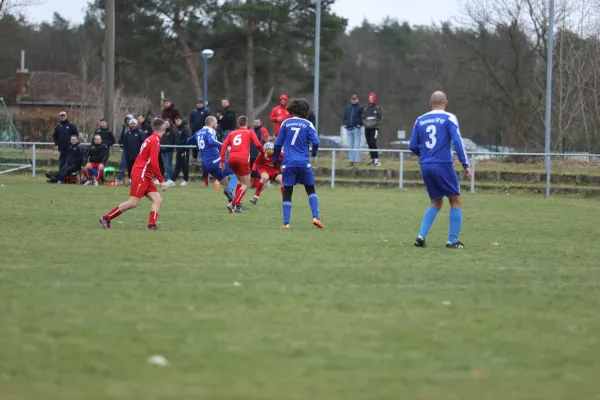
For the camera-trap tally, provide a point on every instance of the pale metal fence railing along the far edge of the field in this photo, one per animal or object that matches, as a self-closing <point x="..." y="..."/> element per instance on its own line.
<point x="335" y="153"/>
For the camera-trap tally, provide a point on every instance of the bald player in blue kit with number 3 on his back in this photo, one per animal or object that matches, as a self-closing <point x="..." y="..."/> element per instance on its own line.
<point x="431" y="140"/>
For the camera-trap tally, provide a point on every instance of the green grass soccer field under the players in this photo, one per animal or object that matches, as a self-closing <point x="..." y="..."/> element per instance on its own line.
<point x="243" y="310"/>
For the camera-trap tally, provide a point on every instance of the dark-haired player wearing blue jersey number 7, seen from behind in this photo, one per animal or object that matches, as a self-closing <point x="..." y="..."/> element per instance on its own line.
<point x="295" y="136"/>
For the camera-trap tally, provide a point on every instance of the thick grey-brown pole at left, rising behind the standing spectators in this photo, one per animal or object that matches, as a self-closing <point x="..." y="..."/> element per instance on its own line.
<point x="109" y="45"/>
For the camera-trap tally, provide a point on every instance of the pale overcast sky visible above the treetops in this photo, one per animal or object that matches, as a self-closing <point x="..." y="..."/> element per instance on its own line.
<point x="415" y="12"/>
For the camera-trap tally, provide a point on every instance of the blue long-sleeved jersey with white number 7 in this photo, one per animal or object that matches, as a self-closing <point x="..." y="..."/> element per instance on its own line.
<point x="295" y="136"/>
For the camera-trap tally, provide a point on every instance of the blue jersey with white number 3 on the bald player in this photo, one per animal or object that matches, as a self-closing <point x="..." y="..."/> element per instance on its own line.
<point x="432" y="139"/>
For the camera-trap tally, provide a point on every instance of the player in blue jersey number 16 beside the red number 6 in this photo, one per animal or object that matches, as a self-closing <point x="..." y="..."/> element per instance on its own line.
<point x="210" y="153"/>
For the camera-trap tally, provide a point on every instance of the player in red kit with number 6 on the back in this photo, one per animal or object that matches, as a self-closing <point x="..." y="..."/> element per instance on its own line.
<point x="239" y="159"/>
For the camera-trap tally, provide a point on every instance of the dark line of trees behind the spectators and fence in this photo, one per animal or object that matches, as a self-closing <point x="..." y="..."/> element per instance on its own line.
<point x="491" y="62"/>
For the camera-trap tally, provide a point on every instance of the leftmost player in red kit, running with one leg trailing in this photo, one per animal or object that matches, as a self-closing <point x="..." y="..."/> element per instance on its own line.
<point x="146" y="165"/>
